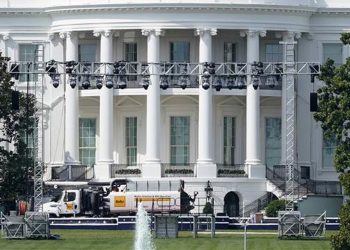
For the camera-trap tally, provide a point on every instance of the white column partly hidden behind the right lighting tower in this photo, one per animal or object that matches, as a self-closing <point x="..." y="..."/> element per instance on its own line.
<point x="286" y="37"/>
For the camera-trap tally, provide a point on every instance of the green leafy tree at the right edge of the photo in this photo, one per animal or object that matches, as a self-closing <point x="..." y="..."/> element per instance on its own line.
<point x="334" y="115"/>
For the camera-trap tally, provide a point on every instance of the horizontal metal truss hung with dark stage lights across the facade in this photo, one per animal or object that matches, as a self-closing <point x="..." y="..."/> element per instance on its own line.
<point x="117" y="75"/>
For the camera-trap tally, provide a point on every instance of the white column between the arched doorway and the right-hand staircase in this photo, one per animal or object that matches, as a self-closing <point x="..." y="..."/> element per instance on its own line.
<point x="253" y="146"/>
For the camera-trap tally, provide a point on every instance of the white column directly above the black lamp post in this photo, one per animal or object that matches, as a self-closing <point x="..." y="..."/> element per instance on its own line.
<point x="205" y="165"/>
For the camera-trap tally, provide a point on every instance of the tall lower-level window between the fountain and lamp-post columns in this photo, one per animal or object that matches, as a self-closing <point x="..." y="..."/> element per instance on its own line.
<point x="179" y="140"/>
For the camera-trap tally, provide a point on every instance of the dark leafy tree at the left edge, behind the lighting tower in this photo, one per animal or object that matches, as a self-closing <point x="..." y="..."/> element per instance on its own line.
<point x="16" y="119"/>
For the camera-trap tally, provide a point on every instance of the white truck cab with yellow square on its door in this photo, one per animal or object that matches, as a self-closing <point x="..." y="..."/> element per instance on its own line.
<point x="67" y="204"/>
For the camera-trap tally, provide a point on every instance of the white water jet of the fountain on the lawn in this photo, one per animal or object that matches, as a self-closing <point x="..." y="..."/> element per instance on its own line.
<point x="143" y="238"/>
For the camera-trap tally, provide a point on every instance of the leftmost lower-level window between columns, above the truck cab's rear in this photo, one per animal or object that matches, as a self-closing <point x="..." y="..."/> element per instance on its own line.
<point x="87" y="141"/>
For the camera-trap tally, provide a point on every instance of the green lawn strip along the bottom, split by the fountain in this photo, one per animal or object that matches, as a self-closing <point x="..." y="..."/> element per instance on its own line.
<point x="120" y="240"/>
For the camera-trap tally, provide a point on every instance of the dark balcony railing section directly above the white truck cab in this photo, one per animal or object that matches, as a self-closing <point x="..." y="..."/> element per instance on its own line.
<point x="71" y="173"/>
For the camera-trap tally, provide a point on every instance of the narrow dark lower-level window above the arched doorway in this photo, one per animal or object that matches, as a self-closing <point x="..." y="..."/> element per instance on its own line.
<point x="229" y="140"/>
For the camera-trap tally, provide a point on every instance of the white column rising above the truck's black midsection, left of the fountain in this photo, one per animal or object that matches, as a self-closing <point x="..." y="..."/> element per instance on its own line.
<point x="102" y="170"/>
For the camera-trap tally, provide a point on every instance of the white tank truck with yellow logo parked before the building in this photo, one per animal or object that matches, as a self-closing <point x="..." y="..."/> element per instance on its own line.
<point x="117" y="200"/>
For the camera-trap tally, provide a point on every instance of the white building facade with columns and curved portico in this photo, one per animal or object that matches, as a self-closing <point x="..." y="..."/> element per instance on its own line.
<point x="232" y="137"/>
